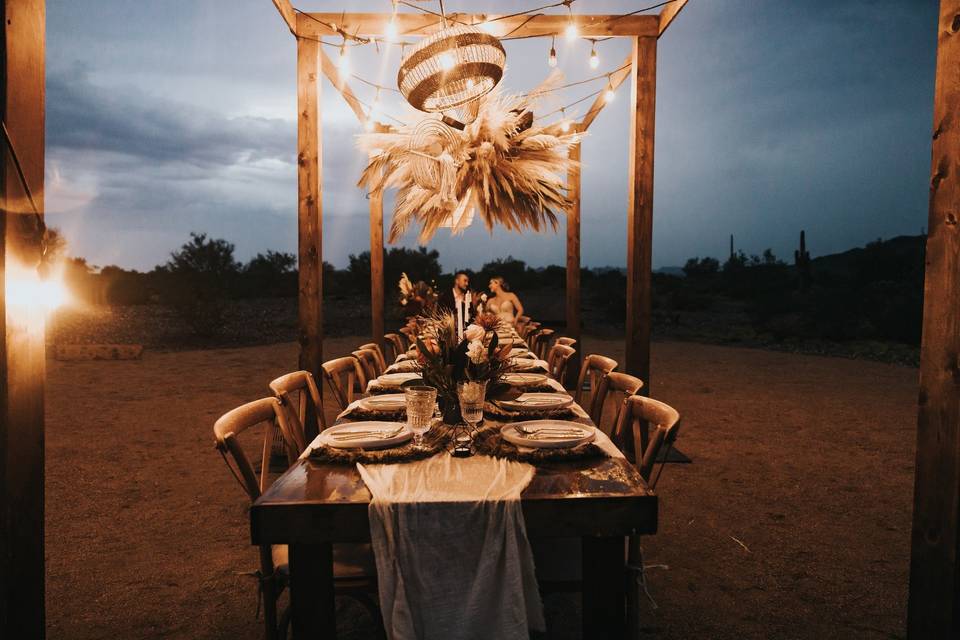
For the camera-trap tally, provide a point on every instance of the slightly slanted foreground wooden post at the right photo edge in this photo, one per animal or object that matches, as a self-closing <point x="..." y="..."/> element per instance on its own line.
<point x="934" y="605"/>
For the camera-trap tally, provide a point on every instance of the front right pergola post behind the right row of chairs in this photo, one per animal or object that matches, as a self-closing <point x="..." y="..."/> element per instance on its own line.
<point x="643" y="87"/>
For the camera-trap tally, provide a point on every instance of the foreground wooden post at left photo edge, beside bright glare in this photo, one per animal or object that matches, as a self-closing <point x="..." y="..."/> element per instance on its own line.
<point x="22" y="363"/>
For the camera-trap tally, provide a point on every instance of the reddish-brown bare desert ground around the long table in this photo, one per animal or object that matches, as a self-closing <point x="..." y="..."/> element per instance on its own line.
<point x="793" y="521"/>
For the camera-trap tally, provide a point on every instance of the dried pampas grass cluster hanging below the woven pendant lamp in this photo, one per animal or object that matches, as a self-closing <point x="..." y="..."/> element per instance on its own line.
<point x="503" y="167"/>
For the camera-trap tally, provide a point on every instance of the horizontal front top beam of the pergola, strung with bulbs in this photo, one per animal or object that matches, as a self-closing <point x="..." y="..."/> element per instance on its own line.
<point x="420" y="24"/>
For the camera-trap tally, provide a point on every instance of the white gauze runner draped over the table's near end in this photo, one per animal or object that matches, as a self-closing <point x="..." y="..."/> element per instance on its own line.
<point x="453" y="559"/>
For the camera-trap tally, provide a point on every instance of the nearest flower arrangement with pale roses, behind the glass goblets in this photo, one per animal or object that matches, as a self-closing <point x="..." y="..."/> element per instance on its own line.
<point x="444" y="360"/>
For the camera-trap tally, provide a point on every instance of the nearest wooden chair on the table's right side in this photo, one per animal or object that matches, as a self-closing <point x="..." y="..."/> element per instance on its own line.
<point x="644" y="427"/>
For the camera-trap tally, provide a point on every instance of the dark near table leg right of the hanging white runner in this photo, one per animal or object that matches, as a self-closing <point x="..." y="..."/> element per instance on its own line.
<point x="604" y="588"/>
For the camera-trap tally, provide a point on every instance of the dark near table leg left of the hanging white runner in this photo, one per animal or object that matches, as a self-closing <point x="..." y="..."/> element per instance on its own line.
<point x="313" y="612"/>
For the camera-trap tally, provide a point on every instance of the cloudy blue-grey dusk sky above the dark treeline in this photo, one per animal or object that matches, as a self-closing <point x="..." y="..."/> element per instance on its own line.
<point x="172" y="116"/>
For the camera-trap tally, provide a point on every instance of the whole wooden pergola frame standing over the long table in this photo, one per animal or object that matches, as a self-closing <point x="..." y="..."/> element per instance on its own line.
<point x="640" y="67"/>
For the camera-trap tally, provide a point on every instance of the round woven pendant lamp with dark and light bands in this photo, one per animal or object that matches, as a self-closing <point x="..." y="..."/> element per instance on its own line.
<point x="448" y="71"/>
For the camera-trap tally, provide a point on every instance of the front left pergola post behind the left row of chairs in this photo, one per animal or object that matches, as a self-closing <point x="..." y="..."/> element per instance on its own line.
<point x="310" y="208"/>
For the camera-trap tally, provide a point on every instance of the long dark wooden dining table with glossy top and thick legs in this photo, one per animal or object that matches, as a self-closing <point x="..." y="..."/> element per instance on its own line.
<point x="312" y="506"/>
